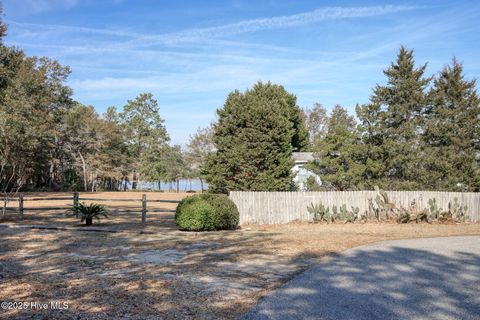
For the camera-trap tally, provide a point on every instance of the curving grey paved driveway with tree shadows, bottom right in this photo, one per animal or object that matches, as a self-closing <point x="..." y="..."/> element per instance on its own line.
<point x="434" y="278"/>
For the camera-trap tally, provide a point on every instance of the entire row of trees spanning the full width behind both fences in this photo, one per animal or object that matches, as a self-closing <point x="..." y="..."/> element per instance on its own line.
<point x="417" y="132"/>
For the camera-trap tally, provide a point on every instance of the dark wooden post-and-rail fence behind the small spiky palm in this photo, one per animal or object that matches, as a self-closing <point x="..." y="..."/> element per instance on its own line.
<point x="76" y="199"/>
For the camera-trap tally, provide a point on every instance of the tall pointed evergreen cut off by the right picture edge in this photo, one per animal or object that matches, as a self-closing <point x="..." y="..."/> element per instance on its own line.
<point x="452" y="132"/>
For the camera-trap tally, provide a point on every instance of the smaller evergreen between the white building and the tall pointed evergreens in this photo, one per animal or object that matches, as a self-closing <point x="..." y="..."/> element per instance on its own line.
<point x="338" y="155"/>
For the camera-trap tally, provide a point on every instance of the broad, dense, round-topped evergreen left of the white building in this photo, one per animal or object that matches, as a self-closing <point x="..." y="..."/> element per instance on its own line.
<point x="254" y="137"/>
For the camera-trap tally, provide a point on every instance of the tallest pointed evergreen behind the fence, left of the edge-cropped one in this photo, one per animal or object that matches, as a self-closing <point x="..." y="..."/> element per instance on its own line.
<point x="392" y="126"/>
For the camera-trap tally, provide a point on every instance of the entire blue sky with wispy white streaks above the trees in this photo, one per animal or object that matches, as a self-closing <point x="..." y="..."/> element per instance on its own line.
<point x="191" y="54"/>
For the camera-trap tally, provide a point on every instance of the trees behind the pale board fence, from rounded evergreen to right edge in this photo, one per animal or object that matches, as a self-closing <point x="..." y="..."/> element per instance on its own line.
<point x="417" y="132"/>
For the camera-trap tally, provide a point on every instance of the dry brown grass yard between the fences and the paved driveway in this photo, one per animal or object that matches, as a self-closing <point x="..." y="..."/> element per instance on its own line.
<point x="219" y="275"/>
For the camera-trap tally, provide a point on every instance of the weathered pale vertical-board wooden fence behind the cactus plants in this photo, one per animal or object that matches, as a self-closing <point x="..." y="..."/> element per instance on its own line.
<point x="284" y="207"/>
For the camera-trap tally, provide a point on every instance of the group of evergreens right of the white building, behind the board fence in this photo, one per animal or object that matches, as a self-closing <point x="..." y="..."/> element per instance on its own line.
<point x="418" y="132"/>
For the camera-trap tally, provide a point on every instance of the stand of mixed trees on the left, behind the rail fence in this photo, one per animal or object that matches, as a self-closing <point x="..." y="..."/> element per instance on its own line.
<point x="49" y="141"/>
